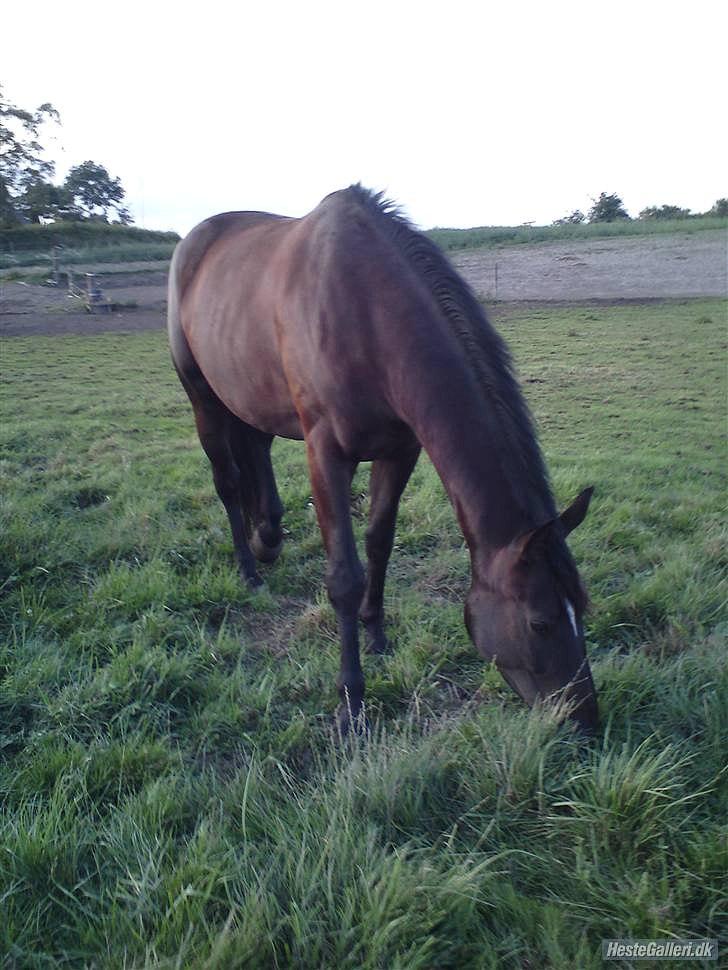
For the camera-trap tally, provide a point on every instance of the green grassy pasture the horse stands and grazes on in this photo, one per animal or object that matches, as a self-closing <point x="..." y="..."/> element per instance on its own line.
<point x="171" y="791"/>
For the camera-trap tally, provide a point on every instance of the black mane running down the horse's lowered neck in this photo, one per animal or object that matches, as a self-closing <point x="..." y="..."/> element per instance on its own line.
<point x="484" y="350"/>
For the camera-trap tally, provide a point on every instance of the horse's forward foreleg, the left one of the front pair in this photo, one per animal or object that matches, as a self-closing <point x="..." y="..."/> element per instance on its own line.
<point x="331" y="475"/>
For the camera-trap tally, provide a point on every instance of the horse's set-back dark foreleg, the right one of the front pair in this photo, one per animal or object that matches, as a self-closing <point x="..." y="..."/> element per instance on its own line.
<point x="387" y="482"/>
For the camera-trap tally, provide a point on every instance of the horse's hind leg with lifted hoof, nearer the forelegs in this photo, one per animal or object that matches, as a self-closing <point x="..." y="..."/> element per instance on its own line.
<point x="261" y="503"/>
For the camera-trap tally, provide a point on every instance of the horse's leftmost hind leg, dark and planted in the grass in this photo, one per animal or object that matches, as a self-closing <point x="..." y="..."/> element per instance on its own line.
<point x="212" y="427"/>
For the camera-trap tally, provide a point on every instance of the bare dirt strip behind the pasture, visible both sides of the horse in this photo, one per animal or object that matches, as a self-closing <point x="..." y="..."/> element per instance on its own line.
<point x="611" y="270"/>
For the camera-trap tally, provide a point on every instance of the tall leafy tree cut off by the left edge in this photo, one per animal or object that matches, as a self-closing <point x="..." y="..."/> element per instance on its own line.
<point x="21" y="153"/>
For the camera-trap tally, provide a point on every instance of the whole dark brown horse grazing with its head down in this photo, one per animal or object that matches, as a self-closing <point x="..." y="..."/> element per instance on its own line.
<point x="349" y="329"/>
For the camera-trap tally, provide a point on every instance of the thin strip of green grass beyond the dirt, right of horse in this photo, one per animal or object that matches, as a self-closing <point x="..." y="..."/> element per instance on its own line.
<point x="489" y="236"/>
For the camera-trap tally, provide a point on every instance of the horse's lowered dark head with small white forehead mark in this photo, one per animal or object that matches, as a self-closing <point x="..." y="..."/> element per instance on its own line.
<point x="526" y="614"/>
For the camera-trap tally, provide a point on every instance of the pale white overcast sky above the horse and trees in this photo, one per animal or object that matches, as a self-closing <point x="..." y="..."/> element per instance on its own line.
<point x="466" y="113"/>
